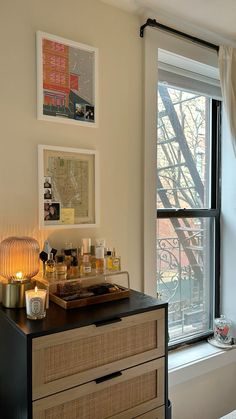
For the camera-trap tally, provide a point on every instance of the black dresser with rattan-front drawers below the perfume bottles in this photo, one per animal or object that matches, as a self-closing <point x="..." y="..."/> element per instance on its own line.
<point x="104" y="361"/>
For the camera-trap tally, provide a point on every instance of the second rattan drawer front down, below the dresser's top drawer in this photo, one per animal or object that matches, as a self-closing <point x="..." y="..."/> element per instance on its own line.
<point x="134" y="392"/>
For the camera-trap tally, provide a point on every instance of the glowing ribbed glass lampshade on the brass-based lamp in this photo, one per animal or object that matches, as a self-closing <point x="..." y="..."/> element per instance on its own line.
<point x="19" y="257"/>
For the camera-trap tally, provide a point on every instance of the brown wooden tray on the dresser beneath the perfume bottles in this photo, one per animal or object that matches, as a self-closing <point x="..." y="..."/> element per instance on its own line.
<point x="96" y="299"/>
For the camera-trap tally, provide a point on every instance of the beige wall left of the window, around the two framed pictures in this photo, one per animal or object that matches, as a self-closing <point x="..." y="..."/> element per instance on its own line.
<point x="118" y="137"/>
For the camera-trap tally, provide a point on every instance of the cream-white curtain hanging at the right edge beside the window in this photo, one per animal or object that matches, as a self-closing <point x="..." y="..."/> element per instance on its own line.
<point x="227" y="67"/>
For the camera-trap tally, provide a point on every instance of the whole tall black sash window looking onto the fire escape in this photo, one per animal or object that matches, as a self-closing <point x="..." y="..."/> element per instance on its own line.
<point x="188" y="210"/>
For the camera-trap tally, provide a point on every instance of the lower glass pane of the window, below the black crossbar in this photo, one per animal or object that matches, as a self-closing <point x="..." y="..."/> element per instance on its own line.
<point x="185" y="274"/>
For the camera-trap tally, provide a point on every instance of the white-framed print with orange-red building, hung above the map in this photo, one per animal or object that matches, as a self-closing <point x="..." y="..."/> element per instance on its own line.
<point x="67" y="81"/>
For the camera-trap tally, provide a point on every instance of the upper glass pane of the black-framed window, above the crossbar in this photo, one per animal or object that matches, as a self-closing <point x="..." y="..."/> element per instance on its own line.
<point x="183" y="149"/>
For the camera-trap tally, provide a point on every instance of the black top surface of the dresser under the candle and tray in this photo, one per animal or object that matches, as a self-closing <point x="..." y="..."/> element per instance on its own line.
<point x="59" y="319"/>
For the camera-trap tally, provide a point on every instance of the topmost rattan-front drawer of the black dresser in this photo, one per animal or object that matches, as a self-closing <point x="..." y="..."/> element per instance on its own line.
<point x="66" y="359"/>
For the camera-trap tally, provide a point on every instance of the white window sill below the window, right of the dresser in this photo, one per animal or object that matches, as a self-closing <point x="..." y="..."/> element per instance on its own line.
<point x="193" y="361"/>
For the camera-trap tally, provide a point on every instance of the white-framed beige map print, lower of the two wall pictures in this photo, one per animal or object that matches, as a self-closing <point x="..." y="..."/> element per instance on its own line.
<point x="70" y="198"/>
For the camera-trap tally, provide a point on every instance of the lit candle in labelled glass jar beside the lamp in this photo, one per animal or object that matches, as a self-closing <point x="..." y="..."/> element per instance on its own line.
<point x="35" y="303"/>
